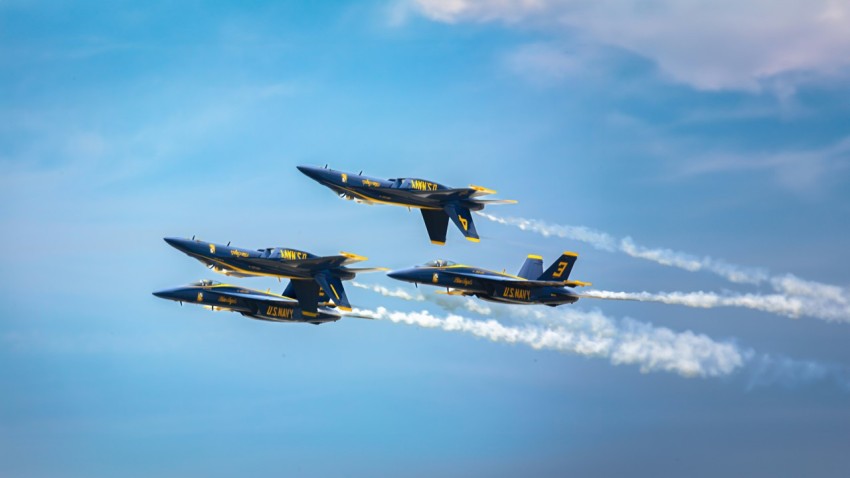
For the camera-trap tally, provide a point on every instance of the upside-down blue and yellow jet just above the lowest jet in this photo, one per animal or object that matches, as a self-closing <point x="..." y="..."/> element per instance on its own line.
<point x="312" y="276"/>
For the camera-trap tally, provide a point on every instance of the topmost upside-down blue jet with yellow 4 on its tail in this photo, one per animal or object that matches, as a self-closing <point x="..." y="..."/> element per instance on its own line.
<point x="436" y="202"/>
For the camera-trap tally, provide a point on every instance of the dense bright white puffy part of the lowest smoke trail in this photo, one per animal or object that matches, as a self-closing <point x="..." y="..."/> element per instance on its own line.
<point x="594" y="335"/>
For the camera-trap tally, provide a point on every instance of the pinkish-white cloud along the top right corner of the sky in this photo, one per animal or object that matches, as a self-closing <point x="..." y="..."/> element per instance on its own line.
<point x="717" y="45"/>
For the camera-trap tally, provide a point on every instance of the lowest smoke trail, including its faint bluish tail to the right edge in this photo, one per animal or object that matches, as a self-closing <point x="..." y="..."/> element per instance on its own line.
<point x="630" y="342"/>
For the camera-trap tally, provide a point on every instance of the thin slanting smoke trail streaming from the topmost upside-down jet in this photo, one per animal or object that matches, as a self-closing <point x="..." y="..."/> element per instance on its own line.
<point x="802" y="297"/>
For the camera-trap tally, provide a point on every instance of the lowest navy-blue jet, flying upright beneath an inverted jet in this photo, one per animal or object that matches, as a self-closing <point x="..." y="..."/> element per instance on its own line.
<point x="248" y="302"/>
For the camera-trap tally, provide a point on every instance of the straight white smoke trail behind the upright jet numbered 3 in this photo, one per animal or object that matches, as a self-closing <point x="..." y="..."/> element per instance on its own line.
<point x="774" y="303"/>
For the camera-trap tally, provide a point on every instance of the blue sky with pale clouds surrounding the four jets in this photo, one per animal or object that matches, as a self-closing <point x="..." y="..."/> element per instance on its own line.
<point x="722" y="133"/>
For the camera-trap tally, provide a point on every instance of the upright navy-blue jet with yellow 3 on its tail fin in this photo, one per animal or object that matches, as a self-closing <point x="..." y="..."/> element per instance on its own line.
<point x="531" y="285"/>
